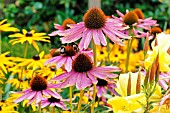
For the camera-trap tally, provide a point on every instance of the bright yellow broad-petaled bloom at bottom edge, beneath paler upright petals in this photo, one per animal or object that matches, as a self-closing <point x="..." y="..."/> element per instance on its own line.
<point x="127" y="104"/>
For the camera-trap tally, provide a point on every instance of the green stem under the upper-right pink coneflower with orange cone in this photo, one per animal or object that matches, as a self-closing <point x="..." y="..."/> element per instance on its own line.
<point x="128" y="53"/>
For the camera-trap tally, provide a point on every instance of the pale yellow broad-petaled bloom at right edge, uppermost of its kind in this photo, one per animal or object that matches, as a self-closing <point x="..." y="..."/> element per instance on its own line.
<point x="162" y="47"/>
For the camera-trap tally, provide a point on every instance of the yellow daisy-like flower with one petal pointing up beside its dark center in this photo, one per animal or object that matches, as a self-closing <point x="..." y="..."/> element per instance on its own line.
<point x="37" y="61"/>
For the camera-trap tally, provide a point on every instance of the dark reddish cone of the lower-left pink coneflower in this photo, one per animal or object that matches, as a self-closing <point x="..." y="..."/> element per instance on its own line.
<point x="38" y="83"/>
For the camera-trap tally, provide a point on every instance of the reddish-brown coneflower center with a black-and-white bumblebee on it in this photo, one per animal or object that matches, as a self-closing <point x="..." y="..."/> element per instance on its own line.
<point x="67" y="50"/>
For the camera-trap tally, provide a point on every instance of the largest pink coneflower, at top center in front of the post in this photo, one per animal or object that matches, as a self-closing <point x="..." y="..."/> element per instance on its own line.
<point x="95" y="24"/>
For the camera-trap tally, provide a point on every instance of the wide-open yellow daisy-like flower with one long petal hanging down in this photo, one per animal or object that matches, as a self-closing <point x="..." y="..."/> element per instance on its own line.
<point x="30" y="37"/>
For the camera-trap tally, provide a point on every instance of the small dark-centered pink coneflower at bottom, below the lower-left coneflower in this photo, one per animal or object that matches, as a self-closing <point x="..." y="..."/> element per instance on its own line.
<point x="52" y="101"/>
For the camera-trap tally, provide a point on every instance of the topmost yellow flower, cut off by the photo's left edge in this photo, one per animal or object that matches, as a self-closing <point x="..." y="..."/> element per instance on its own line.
<point x="6" y="26"/>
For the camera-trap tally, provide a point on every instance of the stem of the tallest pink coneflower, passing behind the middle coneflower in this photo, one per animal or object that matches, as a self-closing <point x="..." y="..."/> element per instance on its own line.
<point x="94" y="85"/>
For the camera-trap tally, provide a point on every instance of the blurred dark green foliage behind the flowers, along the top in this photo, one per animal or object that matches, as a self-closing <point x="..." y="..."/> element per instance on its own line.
<point x="41" y="15"/>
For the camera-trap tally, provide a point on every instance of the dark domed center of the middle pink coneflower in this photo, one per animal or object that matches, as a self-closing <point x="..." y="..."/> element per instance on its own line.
<point x="82" y="63"/>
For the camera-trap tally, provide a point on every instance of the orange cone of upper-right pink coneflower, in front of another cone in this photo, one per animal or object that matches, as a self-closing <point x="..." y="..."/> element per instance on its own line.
<point x="130" y="18"/>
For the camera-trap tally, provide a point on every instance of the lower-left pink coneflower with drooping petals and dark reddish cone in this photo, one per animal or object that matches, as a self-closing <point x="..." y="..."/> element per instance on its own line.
<point x="39" y="87"/>
